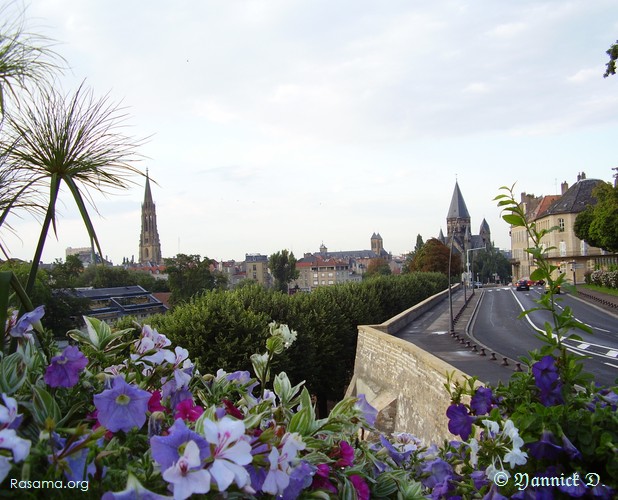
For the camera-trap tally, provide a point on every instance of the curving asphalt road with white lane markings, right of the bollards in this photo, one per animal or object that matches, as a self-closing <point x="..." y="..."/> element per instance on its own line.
<point x="496" y="325"/>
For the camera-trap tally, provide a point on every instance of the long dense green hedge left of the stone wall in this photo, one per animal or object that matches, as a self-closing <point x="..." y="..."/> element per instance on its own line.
<point x="221" y="329"/>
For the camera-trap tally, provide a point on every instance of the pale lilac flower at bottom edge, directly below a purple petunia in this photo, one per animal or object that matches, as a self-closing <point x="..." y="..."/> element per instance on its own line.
<point x="186" y="475"/>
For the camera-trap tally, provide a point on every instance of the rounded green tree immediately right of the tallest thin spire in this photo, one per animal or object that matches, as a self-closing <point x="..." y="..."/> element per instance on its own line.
<point x="189" y="275"/>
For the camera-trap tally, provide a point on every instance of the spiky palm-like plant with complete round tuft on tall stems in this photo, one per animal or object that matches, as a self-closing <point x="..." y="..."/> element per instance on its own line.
<point x="75" y="140"/>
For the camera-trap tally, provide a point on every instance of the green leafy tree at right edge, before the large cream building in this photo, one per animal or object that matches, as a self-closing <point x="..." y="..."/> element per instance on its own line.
<point x="598" y="224"/>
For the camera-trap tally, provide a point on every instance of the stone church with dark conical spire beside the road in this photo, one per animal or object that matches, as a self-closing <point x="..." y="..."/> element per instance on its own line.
<point x="458" y="223"/>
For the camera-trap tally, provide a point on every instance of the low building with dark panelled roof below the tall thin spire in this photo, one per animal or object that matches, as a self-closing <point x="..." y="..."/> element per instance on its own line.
<point x="111" y="304"/>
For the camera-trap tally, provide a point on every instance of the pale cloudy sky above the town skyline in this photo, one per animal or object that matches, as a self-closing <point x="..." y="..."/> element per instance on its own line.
<point x="285" y="124"/>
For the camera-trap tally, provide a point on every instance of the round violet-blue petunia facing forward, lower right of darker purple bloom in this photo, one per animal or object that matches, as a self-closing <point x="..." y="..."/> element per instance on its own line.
<point x="123" y="407"/>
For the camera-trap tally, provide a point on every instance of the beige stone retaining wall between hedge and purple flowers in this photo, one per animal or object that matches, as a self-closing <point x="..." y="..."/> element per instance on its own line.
<point x="405" y="384"/>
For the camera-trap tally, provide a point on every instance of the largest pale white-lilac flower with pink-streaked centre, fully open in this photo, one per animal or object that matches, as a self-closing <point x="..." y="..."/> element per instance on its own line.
<point x="231" y="452"/>
